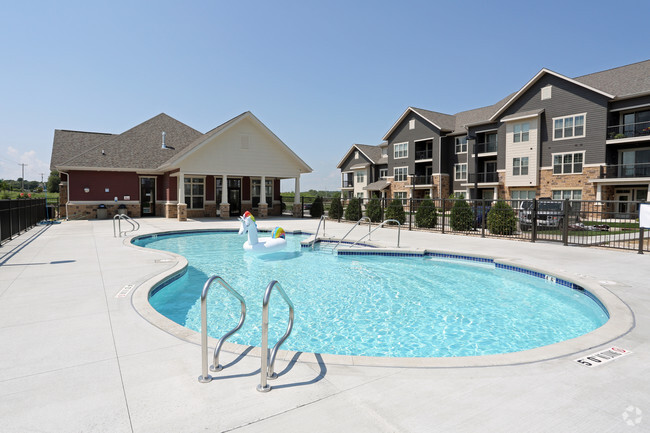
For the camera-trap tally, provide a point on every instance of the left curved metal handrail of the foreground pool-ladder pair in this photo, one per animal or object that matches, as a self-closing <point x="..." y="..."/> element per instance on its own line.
<point x="205" y="377"/>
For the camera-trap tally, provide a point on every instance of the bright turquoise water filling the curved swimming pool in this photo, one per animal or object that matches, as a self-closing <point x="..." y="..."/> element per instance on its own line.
<point x="371" y="305"/>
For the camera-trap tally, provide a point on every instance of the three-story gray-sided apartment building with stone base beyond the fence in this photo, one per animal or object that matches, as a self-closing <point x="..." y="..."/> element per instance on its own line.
<point x="583" y="138"/>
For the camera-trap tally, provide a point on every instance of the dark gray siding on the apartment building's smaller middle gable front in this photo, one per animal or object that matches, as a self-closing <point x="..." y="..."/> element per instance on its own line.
<point x="402" y="133"/>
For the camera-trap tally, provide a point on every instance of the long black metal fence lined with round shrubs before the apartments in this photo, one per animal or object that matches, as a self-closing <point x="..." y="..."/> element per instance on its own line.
<point x="607" y="224"/>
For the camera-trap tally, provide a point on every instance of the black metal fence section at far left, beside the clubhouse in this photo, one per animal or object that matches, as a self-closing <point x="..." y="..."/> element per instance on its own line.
<point x="17" y="216"/>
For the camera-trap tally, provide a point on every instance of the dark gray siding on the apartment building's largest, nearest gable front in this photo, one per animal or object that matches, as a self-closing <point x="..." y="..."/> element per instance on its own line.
<point x="567" y="99"/>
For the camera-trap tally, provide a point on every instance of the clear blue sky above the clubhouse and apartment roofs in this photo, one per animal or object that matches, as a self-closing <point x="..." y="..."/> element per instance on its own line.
<point x="321" y="75"/>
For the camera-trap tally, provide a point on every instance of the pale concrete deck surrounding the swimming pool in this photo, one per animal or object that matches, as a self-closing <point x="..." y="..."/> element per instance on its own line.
<point x="75" y="357"/>
